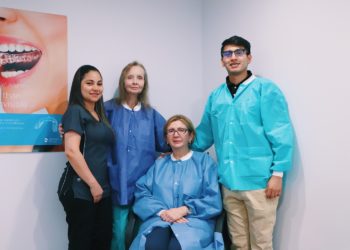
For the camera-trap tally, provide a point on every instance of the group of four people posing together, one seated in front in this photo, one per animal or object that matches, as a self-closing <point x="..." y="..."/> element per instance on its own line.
<point x="113" y="167"/>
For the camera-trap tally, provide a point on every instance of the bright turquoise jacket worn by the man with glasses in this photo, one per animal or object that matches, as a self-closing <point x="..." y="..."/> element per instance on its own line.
<point x="252" y="133"/>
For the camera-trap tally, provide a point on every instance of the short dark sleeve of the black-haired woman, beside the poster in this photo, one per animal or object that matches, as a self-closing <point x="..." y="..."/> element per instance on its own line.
<point x="72" y="120"/>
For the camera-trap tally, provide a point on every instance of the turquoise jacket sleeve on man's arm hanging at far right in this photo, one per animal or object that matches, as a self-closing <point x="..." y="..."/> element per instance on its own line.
<point x="277" y="126"/>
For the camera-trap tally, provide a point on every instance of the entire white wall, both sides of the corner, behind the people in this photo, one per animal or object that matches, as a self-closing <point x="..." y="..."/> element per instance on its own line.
<point x="302" y="45"/>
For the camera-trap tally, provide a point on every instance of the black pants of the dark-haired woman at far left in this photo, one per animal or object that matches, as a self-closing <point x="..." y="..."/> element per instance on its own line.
<point x="89" y="224"/>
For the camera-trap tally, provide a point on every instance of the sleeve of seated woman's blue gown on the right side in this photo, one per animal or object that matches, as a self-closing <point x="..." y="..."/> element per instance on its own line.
<point x="208" y="204"/>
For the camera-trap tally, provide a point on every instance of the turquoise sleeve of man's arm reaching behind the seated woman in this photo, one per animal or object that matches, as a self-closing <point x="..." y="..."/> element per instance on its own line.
<point x="204" y="134"/>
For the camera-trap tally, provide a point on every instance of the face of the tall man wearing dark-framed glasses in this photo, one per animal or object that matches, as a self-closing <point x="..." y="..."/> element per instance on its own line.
<point x="236" y="65"/>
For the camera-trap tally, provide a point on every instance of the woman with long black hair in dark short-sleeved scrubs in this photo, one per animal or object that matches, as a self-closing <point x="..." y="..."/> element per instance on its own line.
<point x="84" y="189"/>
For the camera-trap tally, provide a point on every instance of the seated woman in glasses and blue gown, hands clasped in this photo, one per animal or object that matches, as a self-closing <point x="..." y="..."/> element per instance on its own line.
<point x="179" y="197"/>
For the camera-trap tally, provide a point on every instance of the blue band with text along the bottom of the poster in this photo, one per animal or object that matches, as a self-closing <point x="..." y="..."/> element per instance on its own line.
<point x="29" y="129"/>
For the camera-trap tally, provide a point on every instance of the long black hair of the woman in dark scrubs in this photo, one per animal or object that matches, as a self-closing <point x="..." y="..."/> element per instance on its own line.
<point x="75" y="96"/>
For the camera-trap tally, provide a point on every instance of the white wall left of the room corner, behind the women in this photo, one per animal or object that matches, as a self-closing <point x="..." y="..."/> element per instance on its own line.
<point x="164" y="35"/>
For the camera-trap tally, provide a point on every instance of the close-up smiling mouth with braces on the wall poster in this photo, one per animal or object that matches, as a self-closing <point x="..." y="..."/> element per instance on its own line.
<point x="33" y="61"/>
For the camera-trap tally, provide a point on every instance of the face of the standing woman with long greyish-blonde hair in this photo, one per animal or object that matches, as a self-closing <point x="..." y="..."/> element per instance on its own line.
<point x="134" y="81"/>
